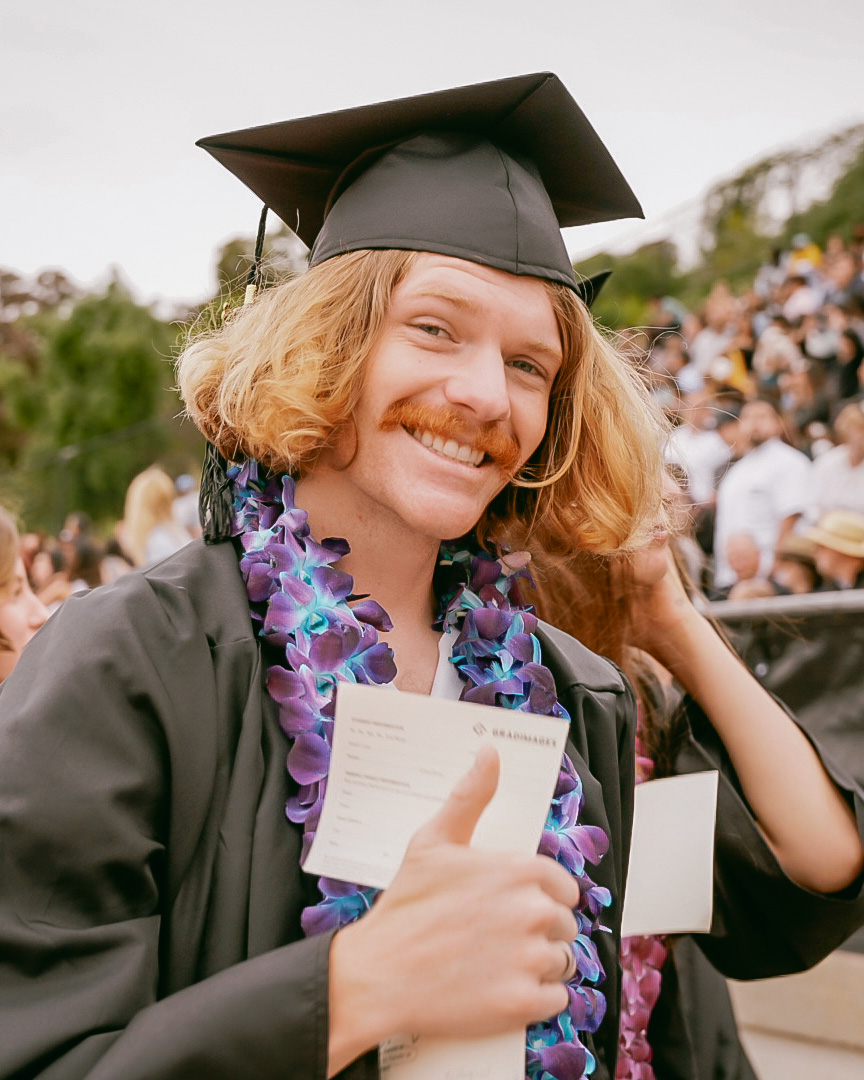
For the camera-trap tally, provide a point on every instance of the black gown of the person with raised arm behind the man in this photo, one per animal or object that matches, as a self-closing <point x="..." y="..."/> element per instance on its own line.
<point x="764" y="925"/>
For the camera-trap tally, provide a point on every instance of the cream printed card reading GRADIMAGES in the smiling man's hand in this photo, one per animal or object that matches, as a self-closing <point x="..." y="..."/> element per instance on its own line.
<point x="396" y="759"/>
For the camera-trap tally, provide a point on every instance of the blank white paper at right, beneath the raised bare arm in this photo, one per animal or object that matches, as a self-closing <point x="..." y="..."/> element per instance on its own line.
<point x="671" y="879"/>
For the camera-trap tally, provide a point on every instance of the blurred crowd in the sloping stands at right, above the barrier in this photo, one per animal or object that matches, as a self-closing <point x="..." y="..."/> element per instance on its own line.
<point x="766" y="394"/>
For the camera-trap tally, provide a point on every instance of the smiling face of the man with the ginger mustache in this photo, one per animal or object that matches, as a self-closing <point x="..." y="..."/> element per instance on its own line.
<point x="456" y="397"/>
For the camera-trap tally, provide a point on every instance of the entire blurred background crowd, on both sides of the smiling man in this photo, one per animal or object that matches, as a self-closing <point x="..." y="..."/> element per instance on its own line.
<point x="766" y="396"/>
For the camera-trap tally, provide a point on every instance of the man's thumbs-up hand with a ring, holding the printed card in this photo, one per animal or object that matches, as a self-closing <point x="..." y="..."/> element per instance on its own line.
<point x="464" y="943"/>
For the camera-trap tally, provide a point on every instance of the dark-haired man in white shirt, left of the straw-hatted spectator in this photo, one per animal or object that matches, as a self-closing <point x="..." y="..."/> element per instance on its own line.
<point x="764" y="494"/>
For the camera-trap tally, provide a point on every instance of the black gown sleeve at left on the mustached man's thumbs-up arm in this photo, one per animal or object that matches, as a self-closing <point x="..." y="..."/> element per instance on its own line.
<point x="90" y="725"/>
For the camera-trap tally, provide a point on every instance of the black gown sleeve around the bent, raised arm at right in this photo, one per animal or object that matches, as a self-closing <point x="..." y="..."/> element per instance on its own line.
<point x="764" y="924"/>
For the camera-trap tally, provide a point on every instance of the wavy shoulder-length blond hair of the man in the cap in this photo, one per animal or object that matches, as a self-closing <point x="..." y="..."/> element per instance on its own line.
<point x="283" y="377"/>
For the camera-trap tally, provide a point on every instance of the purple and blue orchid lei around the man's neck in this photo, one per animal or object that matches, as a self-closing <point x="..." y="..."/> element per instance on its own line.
<point x="327" y="634"/>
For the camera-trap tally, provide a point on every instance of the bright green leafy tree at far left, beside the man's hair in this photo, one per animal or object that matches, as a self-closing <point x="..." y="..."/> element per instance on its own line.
<point x="94" y="409"/>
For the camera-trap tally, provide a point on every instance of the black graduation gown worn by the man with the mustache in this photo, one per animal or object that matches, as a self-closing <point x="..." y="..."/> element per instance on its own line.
<point x="150" y="885"/>
